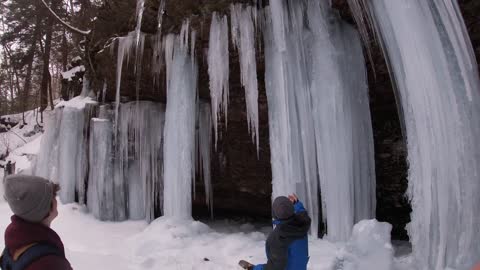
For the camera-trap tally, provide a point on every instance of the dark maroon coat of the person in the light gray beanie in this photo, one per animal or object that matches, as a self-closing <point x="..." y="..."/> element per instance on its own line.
<point x="21" y="234"/>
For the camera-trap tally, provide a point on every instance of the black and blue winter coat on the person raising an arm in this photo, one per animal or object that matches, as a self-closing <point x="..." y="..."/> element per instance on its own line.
<point x="287" y="244"/>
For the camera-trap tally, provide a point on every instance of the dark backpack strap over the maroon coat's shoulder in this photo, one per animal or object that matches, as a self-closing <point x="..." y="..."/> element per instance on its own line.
<point x="31" y="255"/>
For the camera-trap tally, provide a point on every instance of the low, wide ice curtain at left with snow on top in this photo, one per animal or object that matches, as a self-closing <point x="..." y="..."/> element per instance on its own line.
<point x="125" y="178"/>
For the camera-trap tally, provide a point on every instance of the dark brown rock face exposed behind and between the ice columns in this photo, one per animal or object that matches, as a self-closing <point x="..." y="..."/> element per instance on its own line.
<point x="241" y="181"/>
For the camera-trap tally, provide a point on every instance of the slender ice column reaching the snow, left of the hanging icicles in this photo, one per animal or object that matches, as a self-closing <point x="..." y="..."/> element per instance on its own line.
<point x="179" y="150"/>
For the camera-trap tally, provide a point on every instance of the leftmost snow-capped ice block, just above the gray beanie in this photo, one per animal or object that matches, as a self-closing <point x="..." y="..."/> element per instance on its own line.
<point x="64" y="150"/>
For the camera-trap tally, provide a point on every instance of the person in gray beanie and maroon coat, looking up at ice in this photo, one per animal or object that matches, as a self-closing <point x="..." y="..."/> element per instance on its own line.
<point x="30" y="243"/>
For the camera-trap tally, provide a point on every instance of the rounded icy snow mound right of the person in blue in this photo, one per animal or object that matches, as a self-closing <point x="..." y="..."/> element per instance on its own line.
<point x="369" y="248"/>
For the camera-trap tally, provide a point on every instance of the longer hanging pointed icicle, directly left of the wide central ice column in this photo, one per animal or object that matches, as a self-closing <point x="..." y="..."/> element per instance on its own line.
<point x="243" y="37"/>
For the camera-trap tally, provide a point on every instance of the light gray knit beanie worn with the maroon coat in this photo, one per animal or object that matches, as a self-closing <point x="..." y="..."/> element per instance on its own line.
<point x="29" y="197"/>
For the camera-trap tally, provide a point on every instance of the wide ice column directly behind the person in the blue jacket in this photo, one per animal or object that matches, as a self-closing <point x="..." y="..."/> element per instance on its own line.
<point x="320" y="131"/>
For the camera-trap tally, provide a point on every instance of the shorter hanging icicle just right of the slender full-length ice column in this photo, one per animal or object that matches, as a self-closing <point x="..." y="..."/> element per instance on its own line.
<point x="218" y="69"/>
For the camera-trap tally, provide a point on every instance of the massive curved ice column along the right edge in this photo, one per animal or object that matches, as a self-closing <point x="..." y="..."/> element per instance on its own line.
<point x="434" y="68"/>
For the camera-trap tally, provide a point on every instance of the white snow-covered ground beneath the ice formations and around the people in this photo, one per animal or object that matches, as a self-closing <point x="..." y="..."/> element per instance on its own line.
<point x="187" y="244"/>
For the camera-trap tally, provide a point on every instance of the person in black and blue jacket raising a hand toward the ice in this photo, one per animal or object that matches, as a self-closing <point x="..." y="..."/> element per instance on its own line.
<point x="287" y="244"/>
